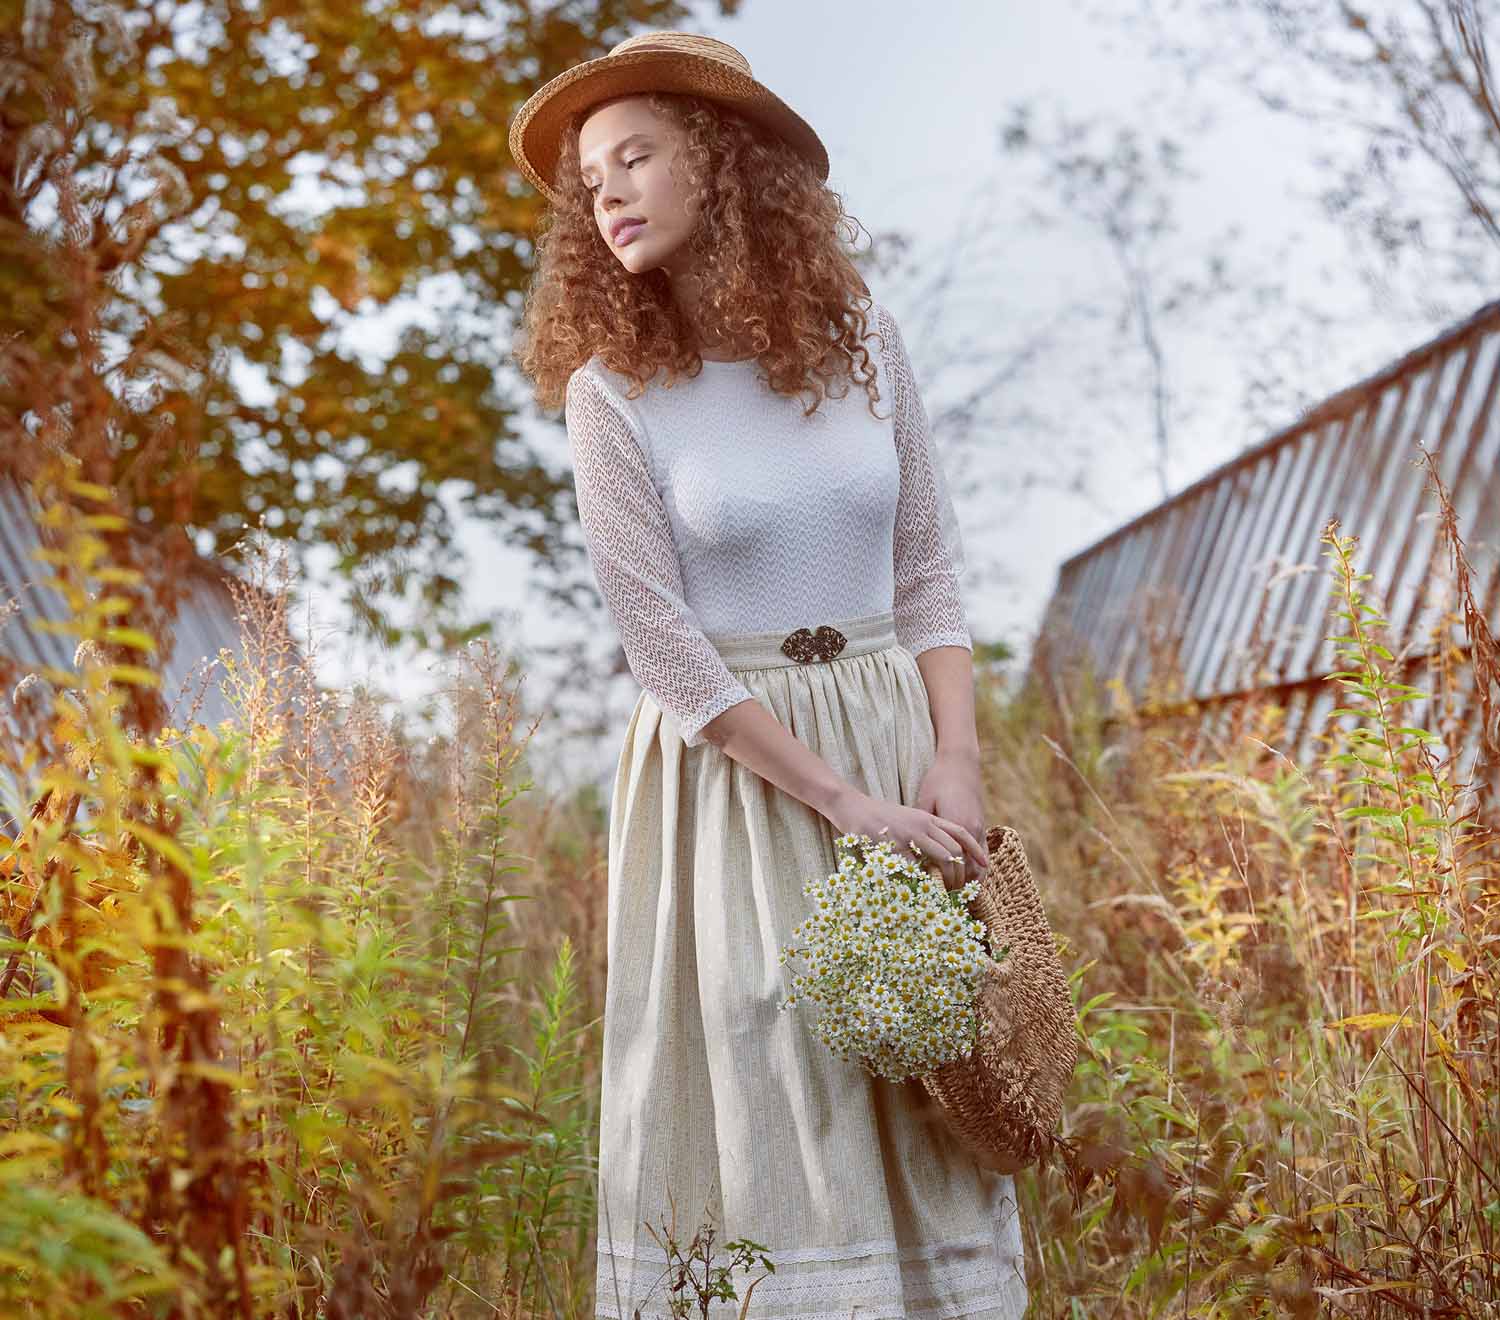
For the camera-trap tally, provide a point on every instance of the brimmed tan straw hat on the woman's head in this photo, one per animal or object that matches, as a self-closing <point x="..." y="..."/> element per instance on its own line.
<point x="652" y="62"/>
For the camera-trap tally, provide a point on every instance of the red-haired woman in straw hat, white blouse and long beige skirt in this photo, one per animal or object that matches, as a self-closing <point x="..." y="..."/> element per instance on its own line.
<point x="775" y="568"/>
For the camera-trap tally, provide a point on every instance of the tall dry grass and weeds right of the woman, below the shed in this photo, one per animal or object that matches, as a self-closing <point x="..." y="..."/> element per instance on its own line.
<point x="1289" y="1091"/>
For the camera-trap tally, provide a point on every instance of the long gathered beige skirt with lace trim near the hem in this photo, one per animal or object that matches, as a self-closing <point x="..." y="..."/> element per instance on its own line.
<point x="721" y="1102"/>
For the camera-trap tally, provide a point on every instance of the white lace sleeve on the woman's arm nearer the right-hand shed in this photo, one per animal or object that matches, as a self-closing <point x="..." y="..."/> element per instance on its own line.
<point x="929" y="548"/>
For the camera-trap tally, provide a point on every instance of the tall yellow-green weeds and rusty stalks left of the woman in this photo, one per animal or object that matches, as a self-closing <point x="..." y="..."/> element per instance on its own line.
<point x="260" y="1049"/>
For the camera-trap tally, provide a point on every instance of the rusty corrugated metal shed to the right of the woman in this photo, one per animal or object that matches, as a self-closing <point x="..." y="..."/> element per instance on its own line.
<point x="1189" y="580"/>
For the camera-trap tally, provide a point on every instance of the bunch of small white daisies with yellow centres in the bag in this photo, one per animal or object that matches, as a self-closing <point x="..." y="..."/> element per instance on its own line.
<point x="893" y="958"/>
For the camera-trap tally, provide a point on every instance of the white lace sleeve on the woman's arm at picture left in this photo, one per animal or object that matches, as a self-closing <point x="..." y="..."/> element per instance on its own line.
<point x="635" y="565"/>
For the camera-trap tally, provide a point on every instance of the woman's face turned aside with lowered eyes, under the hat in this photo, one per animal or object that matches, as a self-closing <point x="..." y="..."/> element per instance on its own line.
<point x="629" y="160"/>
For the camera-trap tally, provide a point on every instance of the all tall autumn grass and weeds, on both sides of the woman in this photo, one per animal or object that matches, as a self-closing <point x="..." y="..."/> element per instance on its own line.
<point x="299" y="1016"/>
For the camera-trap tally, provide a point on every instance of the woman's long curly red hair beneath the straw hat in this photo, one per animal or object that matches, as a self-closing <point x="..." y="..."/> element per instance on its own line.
<point x="767" y="245"/>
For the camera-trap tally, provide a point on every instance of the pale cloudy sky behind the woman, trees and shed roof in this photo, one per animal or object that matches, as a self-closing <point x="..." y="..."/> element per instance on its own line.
<point x="910" y="103"/>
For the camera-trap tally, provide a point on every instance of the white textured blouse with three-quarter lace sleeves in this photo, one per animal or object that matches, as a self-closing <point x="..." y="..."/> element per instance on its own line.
<point x="716" y="506"/>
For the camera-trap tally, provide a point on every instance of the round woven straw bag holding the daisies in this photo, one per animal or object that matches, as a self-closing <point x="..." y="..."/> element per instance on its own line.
<point x="1004" y="1100"/>
